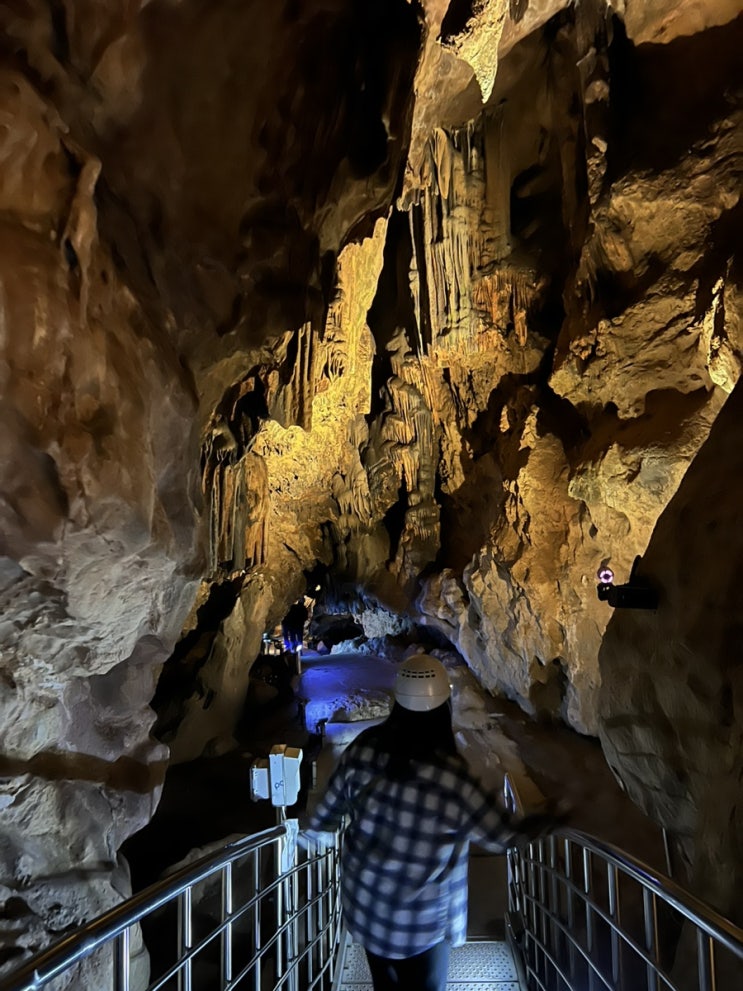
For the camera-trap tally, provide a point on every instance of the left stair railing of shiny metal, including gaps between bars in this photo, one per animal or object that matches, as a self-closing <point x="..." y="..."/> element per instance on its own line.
<point x="257" y="914"/>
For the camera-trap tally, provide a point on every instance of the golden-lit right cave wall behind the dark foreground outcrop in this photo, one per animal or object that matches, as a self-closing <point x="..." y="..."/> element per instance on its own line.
<point x="561" y="446"/>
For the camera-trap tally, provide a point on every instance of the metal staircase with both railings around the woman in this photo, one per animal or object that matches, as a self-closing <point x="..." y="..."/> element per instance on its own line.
<point x="261" y="914"/>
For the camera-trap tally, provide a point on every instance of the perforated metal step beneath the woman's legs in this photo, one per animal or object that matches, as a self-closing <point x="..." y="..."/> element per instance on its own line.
<point x="481" y="966"/>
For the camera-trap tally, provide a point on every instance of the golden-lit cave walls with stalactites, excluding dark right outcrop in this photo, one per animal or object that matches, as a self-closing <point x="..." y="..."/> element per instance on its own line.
<point x="446" y="307"/>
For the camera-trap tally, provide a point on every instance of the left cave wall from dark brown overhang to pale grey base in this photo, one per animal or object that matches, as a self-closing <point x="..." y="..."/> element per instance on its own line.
<point x="176" y="181"/>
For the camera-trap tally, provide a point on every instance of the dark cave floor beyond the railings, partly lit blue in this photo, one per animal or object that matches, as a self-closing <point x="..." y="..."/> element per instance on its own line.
<point x="207" y="800"/>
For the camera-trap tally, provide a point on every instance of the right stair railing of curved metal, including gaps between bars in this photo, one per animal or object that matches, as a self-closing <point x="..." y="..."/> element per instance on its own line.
<point x="587" y="916"/>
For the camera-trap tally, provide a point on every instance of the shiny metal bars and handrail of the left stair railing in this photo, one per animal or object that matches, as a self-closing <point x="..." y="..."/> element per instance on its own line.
<point x="303" y="893"/>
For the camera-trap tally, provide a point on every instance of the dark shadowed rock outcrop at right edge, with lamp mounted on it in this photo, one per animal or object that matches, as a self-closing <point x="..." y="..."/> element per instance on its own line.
<point x="671" y="679"/>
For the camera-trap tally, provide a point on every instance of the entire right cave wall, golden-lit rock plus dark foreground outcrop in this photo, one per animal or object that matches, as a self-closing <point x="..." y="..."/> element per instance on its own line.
<point x="628" y="222"/>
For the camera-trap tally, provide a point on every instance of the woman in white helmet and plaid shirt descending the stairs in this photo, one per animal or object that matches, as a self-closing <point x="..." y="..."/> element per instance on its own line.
<point x="412" y="806"/>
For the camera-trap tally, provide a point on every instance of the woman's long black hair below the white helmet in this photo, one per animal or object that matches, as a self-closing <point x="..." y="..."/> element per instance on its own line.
<point x="407" y="736"/>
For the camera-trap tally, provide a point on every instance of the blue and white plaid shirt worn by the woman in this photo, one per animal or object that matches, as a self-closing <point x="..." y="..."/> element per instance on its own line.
<point x="405" y="850"/>
